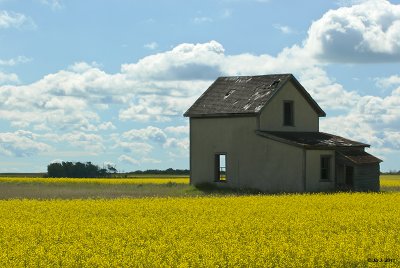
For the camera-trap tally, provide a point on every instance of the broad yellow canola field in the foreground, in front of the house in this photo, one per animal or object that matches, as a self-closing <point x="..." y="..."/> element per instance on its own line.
<point x="310" y="230"/>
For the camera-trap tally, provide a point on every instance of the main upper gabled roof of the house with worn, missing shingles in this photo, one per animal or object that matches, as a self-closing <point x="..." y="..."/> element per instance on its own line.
<point x="244" y="95"/>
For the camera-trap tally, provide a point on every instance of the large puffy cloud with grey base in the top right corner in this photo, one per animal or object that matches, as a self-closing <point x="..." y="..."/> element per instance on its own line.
<point x="365" y="32"/>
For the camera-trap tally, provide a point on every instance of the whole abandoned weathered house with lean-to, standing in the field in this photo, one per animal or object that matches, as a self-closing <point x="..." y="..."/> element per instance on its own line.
<point x="262" y="132"/>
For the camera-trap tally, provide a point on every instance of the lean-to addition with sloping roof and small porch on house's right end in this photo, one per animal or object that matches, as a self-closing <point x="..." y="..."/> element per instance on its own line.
<point x="350" y="167"/>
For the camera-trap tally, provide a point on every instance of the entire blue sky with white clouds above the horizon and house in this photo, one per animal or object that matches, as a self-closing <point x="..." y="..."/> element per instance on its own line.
<point x="108" y="81"/>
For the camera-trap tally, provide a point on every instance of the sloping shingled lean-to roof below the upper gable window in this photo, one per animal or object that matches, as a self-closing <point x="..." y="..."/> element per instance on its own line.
<point x="313" y="140"/>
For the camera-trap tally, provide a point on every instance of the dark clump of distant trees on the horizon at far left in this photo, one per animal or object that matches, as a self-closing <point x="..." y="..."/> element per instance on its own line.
<point x="78" y="170"/>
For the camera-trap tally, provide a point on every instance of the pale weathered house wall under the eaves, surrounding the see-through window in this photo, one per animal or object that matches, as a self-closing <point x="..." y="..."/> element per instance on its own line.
<point x="252" y="161"/>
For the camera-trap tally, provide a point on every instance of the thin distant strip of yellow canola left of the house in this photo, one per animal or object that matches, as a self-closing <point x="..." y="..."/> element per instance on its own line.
<point x="179" y="180"/>
